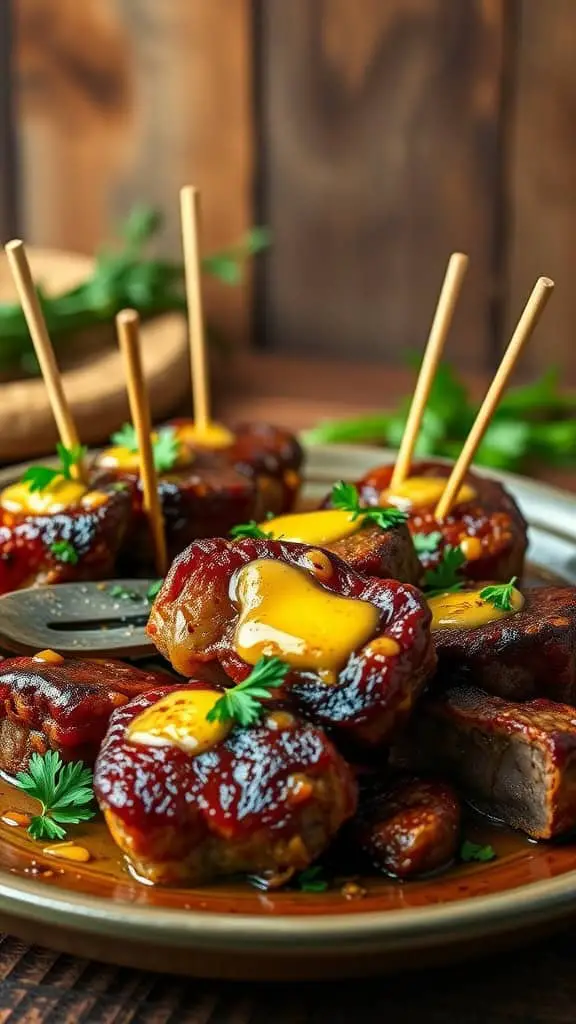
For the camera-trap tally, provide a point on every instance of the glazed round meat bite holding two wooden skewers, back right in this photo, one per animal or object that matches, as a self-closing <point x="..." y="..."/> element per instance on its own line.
<point x="486" y="524"/>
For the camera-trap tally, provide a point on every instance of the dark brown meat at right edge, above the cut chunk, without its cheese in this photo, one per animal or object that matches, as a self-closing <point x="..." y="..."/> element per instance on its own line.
<point x="531" y="654"/>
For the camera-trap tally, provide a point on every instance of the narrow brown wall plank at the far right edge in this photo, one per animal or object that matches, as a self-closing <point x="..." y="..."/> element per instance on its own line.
<point x="543" y="178"/>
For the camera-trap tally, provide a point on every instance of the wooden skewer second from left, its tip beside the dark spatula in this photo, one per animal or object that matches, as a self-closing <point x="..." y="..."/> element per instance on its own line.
<point x="128" y="324"/>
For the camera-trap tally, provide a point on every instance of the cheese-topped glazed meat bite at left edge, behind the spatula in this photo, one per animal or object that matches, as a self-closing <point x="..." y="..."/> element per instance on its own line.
<point x="64" y="533"/>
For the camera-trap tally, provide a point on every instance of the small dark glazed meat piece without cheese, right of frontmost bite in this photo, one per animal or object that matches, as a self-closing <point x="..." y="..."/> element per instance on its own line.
<point x="409" y="827"/>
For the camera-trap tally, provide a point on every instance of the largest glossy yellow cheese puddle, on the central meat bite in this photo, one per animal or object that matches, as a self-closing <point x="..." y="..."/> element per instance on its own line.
<point x="284" y="612"/>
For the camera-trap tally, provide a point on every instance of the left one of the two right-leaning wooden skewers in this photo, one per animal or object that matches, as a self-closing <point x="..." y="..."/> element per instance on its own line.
<point x="439" y="331"/>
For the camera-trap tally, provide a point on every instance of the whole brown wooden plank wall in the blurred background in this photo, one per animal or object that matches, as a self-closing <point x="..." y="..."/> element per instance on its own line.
<point x="375" y="137"/>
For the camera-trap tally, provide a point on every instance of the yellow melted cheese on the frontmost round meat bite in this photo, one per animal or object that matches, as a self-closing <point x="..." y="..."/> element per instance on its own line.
<point x="180" y="720"/>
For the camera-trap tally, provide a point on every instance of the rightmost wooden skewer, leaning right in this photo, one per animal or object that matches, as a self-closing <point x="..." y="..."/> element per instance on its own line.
<point x="530" y="317"/>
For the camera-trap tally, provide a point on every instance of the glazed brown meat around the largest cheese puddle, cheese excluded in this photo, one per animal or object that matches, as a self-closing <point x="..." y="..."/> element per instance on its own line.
<point x="193" y="621"/>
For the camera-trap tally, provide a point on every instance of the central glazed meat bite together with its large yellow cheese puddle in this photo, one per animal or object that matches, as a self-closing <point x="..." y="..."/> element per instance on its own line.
<point x="359" y="650"/>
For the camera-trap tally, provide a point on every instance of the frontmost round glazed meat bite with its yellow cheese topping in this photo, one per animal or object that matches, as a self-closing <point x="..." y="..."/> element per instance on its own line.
<point x="188" y="800"/>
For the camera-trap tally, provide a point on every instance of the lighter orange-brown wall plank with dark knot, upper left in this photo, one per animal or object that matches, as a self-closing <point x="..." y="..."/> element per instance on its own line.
<point x="126" y="101"/>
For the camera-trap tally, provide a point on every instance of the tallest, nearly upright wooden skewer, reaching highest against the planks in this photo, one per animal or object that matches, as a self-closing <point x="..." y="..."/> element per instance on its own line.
<point x="190" y="215"/>
